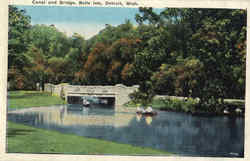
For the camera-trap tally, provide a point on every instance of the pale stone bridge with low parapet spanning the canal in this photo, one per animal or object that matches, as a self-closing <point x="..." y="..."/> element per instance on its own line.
<point x="119" y="92"/>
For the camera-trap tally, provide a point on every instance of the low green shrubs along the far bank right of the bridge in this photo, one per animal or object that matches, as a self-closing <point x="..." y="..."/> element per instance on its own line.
<point x="192" y="106"/>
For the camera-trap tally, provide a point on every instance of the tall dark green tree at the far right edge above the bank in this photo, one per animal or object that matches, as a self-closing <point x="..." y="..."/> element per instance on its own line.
<point x="215" y="44"/>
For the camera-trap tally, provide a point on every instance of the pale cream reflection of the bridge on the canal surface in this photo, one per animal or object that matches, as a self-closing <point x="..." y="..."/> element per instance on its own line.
<point x="66" y="115"/>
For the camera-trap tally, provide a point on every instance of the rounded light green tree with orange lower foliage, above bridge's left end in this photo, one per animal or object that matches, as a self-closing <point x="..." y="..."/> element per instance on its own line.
<point x="48" y="51"/>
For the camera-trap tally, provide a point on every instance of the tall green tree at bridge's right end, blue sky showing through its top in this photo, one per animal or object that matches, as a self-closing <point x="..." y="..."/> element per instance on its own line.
<point x="159" y="46"/>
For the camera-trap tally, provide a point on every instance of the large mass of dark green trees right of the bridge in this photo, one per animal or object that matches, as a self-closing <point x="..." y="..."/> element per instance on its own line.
<point x="212" y="39"/>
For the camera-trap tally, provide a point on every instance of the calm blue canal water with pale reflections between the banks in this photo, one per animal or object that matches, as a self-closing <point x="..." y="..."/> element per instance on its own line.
<point x="179" y="133"/>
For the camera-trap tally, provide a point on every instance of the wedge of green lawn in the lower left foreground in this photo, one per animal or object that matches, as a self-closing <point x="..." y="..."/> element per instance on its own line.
<point x="27" y="139"/>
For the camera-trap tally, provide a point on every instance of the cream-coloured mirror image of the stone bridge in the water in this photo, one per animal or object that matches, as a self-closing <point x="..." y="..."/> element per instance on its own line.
<point x="62" y="116"/>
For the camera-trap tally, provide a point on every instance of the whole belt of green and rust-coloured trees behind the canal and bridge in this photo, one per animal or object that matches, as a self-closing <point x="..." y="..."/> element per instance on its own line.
<point x="196" y="53"/>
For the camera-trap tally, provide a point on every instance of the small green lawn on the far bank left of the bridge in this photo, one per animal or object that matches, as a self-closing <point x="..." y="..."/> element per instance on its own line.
<point x="23" y="99"/>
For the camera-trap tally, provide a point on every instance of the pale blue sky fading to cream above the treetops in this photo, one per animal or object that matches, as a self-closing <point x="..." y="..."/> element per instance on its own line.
<point x="87" y="21"/>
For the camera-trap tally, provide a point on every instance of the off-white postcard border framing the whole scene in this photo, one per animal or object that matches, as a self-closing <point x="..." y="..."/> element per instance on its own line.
<point x="235" y="4"/>
